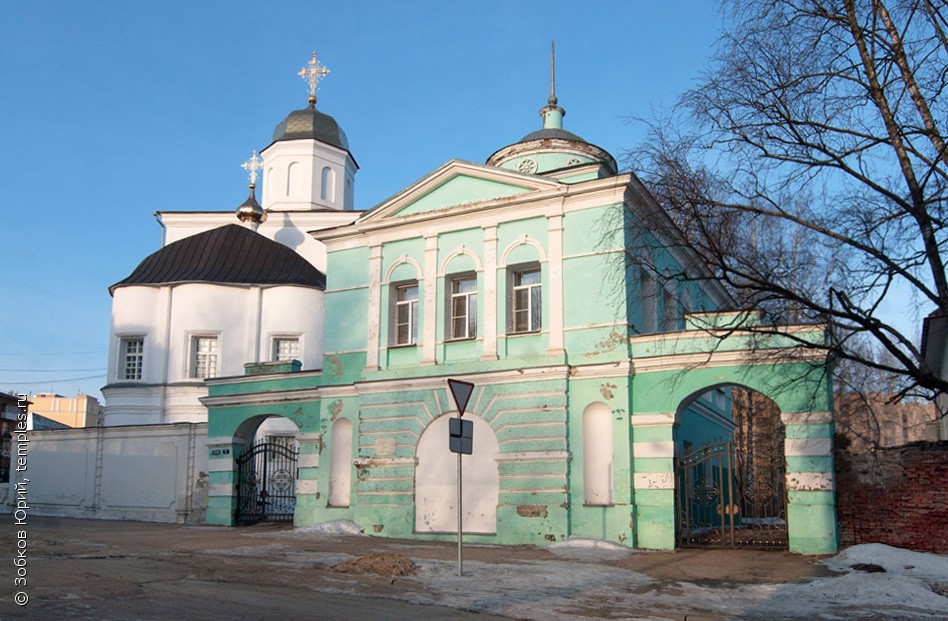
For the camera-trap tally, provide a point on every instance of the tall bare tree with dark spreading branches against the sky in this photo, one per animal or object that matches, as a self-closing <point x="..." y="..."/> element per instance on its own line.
<point x="809" y="169"/>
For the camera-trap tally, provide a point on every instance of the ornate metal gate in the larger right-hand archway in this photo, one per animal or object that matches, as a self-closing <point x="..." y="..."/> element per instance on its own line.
<point x="726" y="499"/>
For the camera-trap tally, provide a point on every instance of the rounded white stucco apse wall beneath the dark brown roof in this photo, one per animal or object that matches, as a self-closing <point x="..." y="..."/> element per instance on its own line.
<point x="244" y="319"/>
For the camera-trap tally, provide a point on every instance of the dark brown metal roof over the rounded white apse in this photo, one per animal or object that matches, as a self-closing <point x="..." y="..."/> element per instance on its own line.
<point x="230" y="254"/>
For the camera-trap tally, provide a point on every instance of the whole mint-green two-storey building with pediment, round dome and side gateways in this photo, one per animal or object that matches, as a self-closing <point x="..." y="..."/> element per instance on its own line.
<point x="594" y="373"/>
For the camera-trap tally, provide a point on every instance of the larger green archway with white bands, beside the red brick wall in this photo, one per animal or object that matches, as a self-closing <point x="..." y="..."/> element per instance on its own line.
<point x="670" y="369"/>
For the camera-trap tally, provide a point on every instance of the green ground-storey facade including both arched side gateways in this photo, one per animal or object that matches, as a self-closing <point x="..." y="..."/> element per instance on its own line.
<point x="544" y="458"/>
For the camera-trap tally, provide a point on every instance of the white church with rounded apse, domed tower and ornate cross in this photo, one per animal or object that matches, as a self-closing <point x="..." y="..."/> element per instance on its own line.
<point x="220" y="293"/>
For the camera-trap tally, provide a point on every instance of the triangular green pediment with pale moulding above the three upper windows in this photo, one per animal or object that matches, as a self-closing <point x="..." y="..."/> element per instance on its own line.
<point x="457" y="183"/>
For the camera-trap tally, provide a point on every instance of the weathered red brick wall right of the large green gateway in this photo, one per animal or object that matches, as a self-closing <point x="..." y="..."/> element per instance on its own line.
<point x="897" y="496"/>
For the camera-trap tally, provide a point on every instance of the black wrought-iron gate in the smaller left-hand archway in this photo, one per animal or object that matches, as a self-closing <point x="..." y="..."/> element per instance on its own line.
<point x="266" y="483"/>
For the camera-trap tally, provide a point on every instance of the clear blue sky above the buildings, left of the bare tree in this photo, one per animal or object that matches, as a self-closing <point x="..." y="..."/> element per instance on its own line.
<point x="112" y="110"/>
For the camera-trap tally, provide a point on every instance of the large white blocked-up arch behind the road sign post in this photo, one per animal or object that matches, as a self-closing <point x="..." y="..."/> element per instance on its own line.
<point x="436" y="508"/>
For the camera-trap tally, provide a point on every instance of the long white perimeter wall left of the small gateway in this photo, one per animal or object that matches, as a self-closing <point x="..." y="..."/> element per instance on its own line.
<point x="153" y="473"/>
